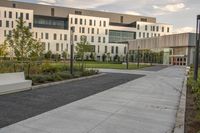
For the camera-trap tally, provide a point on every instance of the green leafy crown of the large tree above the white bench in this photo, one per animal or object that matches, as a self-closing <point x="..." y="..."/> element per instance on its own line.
<point x="22" y="41"/>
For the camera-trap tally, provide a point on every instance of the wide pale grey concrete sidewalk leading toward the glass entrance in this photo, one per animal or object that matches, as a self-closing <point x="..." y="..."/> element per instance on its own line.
<point x="145" y="105"/>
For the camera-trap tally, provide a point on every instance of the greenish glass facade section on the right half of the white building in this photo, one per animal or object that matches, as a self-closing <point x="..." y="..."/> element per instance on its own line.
<point x="121" y="36"/>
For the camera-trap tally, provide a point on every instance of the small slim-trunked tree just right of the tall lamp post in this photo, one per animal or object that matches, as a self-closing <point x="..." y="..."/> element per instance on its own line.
<point x="83" y="47"/>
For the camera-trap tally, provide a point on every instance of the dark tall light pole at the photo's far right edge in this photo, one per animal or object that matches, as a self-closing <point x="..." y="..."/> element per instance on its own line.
<point x="197" y="48"/>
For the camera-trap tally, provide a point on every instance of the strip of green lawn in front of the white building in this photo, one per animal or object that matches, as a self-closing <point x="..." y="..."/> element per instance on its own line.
<point x="90" y="64"/>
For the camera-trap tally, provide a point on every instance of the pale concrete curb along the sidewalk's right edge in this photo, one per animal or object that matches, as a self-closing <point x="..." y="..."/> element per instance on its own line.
<point x="180" y="116"/>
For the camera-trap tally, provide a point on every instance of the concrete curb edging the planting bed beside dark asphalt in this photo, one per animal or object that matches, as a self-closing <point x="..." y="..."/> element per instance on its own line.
<point x="65" y="81"/>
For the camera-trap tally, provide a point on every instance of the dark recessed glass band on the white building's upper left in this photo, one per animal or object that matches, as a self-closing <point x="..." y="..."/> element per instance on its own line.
<point x="50" y="22"/>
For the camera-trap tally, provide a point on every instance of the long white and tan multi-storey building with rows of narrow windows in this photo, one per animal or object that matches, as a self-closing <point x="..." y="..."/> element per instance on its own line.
<point x="107" y="31"/>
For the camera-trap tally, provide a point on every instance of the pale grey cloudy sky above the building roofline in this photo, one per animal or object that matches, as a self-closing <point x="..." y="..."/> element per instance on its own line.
<point x="180" y="13"/>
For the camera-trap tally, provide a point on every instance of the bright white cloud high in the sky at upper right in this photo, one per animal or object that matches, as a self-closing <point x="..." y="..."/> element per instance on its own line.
<point x="170" y="7"/>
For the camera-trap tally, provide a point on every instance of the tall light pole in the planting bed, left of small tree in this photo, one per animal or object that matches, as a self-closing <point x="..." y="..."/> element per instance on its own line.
<point x="72" y="30"/>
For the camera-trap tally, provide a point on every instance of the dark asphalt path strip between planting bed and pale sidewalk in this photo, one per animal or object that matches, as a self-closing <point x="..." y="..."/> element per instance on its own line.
<point x="20" y="106"/>
